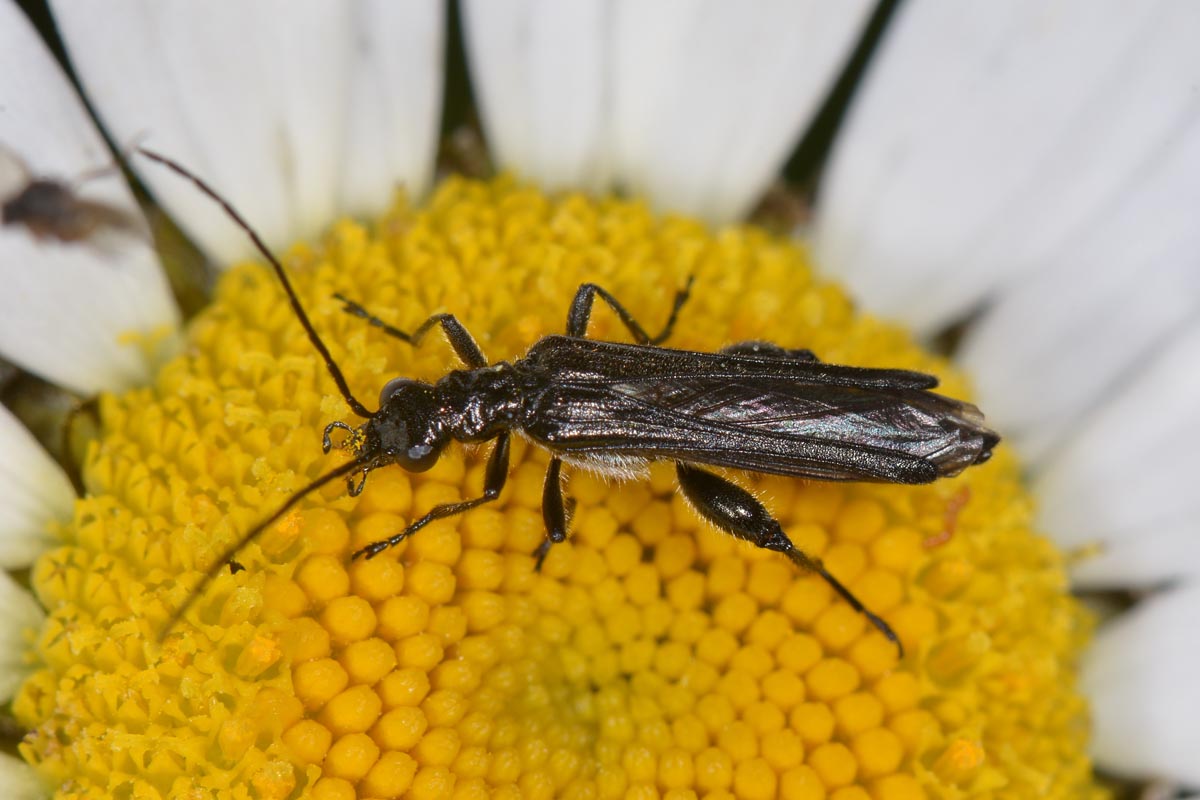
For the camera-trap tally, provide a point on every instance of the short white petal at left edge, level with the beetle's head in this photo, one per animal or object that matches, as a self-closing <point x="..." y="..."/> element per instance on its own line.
<point x="33" y="494"/>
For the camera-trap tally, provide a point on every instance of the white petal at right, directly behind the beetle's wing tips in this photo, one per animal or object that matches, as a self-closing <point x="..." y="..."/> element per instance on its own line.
<point x="1073" y="333"/>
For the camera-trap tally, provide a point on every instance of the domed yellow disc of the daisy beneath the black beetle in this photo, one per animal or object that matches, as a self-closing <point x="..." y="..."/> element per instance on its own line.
<point x="650" y="658"/>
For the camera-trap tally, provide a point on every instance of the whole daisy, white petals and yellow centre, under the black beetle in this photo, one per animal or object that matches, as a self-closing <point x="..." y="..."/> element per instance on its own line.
<point x="1027" y="167"/>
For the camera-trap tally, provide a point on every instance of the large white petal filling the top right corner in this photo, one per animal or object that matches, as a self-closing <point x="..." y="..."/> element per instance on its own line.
<point x="994" y="140"/>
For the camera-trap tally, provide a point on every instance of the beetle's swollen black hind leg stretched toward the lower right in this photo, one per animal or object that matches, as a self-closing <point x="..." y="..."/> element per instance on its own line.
<point x="736" y="512"/>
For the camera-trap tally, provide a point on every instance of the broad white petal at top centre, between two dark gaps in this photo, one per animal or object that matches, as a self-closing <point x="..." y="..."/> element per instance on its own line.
<point x="694" y="105"/>
